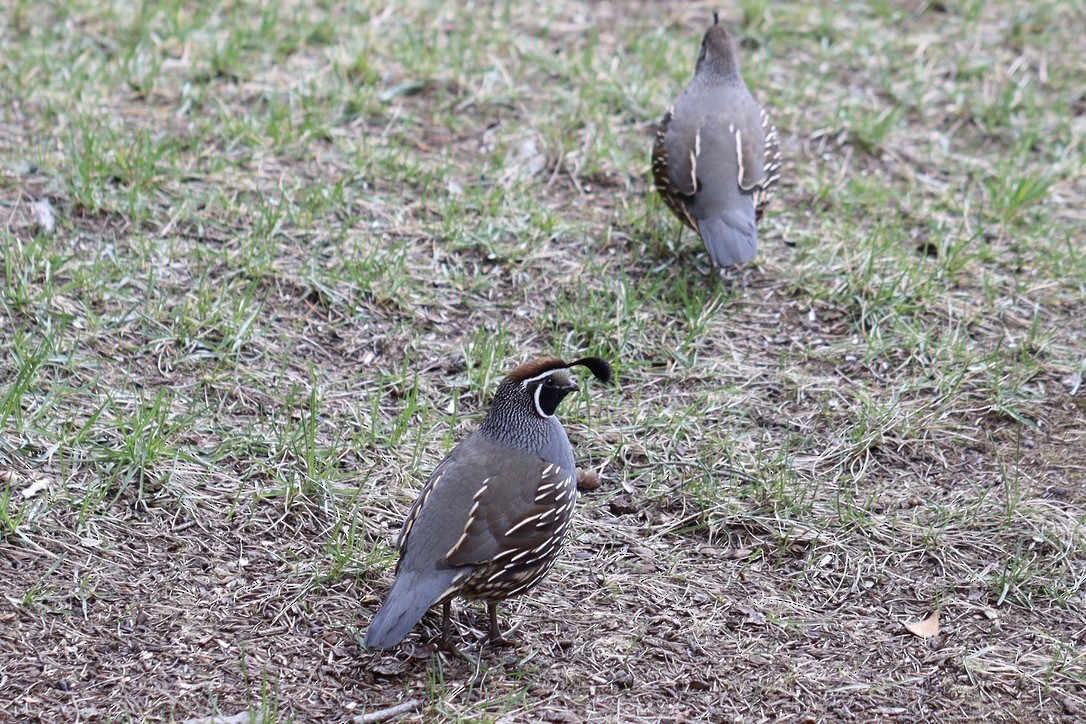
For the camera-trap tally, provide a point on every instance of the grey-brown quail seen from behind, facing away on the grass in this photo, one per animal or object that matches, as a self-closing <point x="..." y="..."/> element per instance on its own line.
<point x="717" y="156"/>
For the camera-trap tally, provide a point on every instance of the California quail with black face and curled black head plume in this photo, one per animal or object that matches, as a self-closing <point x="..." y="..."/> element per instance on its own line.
<point x="491" y="519"/>
